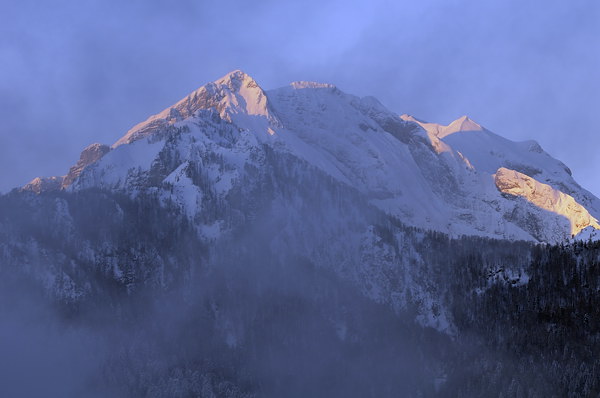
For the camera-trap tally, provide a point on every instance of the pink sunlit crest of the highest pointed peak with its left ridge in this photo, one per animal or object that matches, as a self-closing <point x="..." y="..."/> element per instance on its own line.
<point x="236" y="97"/>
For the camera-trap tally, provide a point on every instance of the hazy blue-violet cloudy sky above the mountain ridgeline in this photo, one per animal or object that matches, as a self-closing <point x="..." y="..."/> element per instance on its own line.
<point x="83" y="71"/>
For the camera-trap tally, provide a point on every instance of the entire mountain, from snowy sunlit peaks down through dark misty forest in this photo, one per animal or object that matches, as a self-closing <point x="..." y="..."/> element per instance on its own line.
<point x="300" y="242"/>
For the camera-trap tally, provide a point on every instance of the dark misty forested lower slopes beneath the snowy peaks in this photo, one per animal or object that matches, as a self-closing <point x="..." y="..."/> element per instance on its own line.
<point x="120" y="299"/>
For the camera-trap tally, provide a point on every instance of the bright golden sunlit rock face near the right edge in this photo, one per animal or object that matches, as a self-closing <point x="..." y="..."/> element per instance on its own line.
<point x="545" y="197"/>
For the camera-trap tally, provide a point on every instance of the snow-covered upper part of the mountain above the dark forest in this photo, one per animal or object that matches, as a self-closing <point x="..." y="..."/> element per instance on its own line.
<point x="457" y="179"/>
